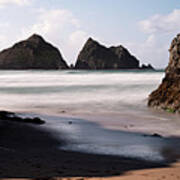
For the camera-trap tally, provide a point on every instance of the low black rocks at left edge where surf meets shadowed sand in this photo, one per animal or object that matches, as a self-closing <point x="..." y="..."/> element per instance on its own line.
<point x="10" y="116"/>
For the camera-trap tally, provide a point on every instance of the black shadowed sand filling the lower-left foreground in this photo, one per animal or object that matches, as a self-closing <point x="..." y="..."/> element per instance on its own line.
<point x="29" y="152"/>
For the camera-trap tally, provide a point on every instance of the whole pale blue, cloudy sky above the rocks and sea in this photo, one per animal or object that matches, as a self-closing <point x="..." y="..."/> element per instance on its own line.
<point x="145" y="28"/>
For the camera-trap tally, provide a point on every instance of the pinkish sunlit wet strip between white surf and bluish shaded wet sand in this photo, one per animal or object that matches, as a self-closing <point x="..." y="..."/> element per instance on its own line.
<point x="122" y="121"/>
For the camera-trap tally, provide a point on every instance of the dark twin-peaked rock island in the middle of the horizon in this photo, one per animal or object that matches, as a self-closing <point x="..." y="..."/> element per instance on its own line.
<point x="96" y="56"/>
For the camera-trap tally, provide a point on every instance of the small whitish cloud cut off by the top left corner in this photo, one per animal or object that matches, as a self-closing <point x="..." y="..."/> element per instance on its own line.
<point x="4" y="3"/>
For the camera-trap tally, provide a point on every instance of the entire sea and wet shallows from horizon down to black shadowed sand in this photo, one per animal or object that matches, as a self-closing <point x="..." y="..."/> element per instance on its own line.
<point x="102" y="112"/>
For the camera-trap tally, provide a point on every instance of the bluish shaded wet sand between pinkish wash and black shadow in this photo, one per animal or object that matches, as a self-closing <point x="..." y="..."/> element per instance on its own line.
<point x="85" y="136"/>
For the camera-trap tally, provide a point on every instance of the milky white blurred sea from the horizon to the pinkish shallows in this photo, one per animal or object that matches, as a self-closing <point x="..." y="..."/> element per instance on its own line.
<point x="77" y="91"/>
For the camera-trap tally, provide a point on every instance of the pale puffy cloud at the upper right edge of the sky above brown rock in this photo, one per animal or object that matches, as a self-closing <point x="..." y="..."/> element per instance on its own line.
<point x="162" y="23"/>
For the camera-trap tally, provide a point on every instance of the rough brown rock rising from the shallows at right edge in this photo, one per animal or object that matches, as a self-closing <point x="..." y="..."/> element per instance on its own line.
<point x="167" y="96"/>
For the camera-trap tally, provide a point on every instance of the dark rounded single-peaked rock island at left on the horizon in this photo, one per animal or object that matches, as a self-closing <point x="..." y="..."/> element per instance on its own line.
<point x="33" y="53"/>
